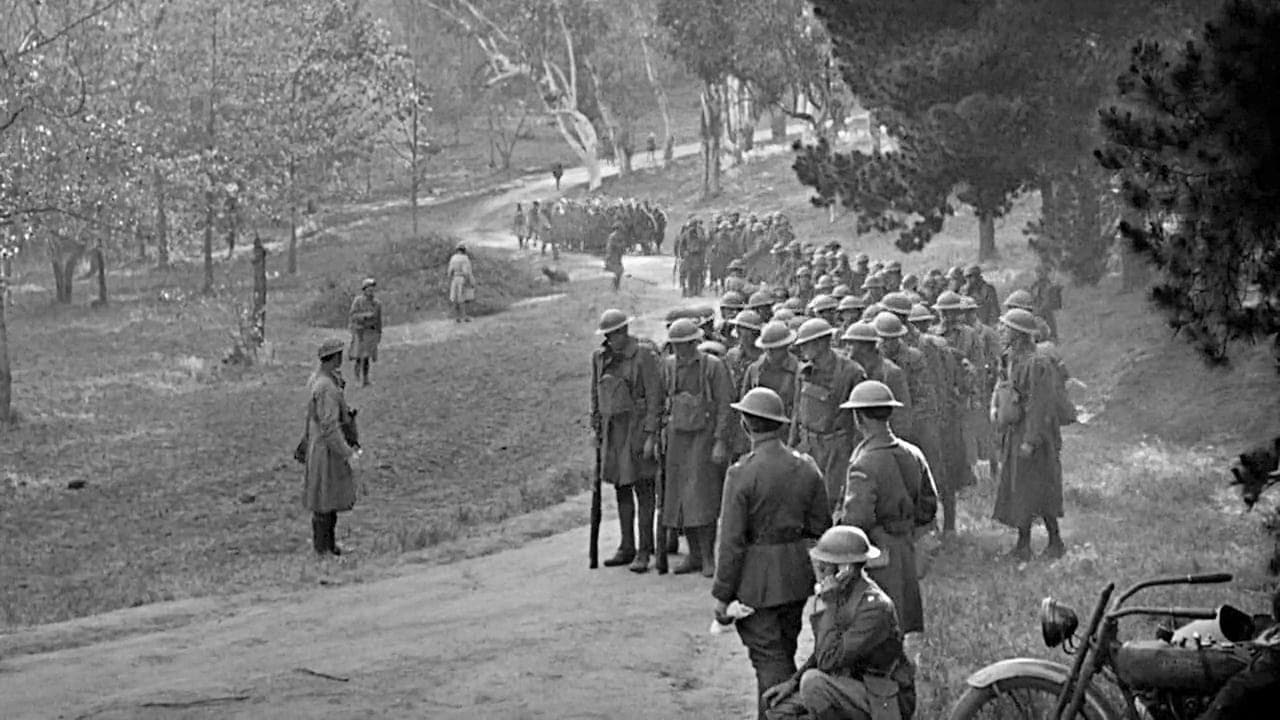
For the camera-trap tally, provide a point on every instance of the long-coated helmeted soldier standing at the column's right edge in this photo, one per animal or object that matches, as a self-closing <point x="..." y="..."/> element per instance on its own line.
<point x="1025" y="411"/>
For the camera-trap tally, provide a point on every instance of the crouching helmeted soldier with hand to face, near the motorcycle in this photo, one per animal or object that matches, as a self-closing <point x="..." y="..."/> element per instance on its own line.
<point x="858" y="668"/>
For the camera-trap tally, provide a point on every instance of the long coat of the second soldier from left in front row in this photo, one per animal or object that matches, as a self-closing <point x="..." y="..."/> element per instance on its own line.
<point x="694" y="484"/>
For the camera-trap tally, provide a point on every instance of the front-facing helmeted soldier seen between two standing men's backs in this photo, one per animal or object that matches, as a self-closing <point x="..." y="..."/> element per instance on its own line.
<point x="821" y="429"/>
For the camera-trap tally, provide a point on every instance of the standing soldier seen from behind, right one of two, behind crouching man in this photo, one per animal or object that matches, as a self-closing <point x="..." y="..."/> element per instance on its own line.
<point x="890" y="495"/>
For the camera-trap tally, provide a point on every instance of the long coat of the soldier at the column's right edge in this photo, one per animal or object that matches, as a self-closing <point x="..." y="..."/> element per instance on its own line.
<point x="1031" y="487"/>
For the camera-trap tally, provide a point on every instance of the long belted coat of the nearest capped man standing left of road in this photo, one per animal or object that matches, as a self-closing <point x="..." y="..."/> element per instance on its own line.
<point x="330" y="485"/>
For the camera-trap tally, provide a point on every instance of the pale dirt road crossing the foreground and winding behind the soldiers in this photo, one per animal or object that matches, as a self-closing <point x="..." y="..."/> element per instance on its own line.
<point x="522" y="635"/>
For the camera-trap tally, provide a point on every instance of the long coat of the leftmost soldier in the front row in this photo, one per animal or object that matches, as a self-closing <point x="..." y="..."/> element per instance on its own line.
<point x="627" y="405"/>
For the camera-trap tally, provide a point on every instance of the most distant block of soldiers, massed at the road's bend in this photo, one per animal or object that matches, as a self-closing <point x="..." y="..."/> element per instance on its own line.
<point x="584" y="226"/>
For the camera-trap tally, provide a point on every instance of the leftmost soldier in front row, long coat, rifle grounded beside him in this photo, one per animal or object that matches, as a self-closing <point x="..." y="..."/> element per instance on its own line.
<point x="627" y="413"/>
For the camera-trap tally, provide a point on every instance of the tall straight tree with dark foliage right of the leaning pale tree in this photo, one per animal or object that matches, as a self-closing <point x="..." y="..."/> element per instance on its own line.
<point x="700" y="38"/>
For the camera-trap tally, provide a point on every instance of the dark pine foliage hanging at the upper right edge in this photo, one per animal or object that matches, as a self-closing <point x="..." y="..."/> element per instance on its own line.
<point x="1195" y="139"/>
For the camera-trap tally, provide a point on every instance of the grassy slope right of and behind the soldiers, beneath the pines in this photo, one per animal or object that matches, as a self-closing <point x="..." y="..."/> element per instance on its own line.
<point x="1146" y="480"/>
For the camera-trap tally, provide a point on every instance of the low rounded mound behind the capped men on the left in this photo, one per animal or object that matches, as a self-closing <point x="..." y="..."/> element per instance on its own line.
<point x="412" y="281"/>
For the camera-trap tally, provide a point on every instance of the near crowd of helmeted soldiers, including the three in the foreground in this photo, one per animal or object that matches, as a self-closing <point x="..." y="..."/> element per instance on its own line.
<point x="807" y="434"/>
